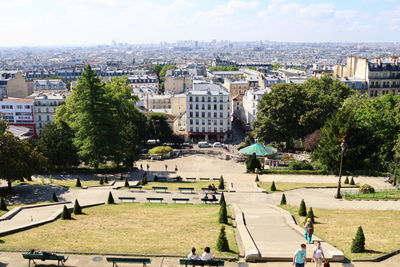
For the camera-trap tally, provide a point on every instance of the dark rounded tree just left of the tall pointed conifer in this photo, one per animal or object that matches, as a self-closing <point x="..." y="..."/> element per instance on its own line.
<point x="56" y="143"/>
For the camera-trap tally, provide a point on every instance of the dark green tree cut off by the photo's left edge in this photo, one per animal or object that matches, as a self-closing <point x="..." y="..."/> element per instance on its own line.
<point x="18" y="159"/>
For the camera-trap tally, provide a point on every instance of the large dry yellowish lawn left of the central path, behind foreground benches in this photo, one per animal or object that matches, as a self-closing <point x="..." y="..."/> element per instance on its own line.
<point x="130" y="228"/>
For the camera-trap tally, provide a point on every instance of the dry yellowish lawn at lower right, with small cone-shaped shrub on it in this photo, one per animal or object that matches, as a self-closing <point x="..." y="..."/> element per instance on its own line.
<point x="338" y="227"/>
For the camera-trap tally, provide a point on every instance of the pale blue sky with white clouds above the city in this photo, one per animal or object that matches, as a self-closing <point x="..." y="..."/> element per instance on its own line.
<point x="93" y="22"/>
